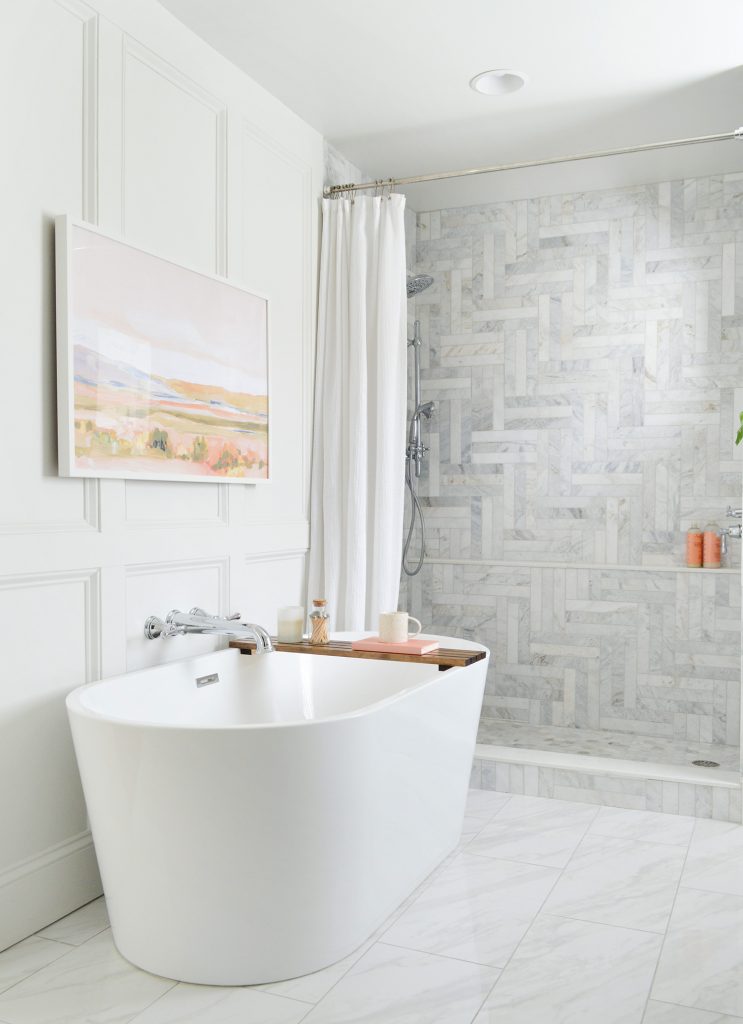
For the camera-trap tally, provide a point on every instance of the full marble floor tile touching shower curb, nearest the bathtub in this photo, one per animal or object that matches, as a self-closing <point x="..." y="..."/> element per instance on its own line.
<point x="535" y="830"/>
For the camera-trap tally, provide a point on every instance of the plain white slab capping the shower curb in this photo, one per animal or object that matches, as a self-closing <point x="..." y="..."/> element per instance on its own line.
<point x="617" y="767"/>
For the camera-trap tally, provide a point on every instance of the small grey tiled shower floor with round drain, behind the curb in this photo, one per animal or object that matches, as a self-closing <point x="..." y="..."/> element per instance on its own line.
<point x="605" y="744"/>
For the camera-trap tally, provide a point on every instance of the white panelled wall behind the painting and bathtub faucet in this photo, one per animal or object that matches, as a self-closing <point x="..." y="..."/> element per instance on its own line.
<point x="114" y="112"/>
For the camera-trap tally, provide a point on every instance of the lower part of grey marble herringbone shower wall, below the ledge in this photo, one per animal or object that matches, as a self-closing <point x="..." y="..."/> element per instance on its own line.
<point x="647" y="653"/>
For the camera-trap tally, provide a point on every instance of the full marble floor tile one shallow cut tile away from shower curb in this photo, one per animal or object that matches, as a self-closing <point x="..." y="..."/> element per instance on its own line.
<point x="620" y="882"/>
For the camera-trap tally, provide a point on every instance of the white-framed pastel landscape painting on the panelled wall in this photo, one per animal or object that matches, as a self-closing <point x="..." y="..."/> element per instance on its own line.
<point x="162" y="371"/>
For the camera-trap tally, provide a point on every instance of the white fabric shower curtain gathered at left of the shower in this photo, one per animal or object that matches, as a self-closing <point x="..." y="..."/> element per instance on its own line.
<point x="359" y="457"/>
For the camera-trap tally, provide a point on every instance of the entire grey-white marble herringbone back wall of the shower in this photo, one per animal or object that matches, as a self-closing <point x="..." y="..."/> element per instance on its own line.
<point x="586" y="357"/>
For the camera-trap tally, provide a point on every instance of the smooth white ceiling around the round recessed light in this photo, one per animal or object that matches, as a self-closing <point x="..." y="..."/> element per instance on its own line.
<point x="386" y="82"/>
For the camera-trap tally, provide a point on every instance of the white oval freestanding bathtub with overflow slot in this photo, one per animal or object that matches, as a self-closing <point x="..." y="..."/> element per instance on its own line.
<point x="263" y="826"/>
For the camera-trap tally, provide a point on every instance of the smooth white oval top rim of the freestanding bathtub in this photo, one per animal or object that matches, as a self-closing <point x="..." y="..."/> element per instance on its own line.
<point x="75" y="706"/>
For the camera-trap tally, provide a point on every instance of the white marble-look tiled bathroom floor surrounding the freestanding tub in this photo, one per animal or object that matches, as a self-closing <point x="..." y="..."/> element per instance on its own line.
<point x="635" y="923"/>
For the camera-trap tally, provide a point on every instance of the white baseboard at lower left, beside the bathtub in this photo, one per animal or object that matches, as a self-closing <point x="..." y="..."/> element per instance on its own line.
<point x="42" y="889"/>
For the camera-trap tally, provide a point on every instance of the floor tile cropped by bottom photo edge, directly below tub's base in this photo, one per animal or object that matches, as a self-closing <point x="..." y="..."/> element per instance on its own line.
<point x="207" y="1005"/>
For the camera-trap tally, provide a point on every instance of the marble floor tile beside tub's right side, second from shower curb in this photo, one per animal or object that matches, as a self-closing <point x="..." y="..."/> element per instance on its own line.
<point x="477" y="910"/>
